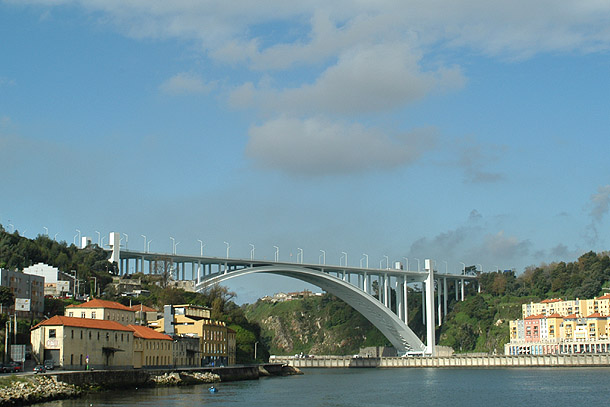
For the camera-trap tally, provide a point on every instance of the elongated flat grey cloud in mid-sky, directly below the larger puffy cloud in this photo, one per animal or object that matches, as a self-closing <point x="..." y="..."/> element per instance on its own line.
<point x="318" y="146"/>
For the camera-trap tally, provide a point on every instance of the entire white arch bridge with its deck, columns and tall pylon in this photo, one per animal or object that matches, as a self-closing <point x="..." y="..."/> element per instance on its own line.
<point x="354" y="285"/>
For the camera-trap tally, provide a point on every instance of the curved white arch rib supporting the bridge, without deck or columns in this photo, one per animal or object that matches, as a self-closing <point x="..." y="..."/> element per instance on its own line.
<point x="395" y="330"/>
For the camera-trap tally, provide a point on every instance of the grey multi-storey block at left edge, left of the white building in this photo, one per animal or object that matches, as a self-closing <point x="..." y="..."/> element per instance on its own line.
<point x="28" y="291"/>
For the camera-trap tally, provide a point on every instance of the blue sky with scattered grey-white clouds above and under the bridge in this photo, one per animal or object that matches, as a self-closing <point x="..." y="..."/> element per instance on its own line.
<point x="472" y="132"/>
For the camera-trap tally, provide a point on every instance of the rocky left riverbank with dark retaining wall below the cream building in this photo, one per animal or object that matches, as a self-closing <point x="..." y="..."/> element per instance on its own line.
<point x="30" y="389"/>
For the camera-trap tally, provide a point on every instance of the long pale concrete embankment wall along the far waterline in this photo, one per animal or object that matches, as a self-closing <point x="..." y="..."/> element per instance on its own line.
<point x="591" y="360"/>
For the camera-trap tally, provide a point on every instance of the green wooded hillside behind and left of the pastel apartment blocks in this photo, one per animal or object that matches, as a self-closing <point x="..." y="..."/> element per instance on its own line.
<point x="480" y="323"/>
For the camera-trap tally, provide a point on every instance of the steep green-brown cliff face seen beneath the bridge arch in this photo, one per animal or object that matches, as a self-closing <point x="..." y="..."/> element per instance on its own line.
<point x="315" y="325"/>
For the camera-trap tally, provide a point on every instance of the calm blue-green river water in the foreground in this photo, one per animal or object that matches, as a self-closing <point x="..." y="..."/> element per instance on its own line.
<point x="539" y="387"/>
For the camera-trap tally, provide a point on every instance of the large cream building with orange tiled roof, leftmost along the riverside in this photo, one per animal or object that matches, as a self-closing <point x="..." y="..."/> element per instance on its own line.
<point x="83" y="343"/>
